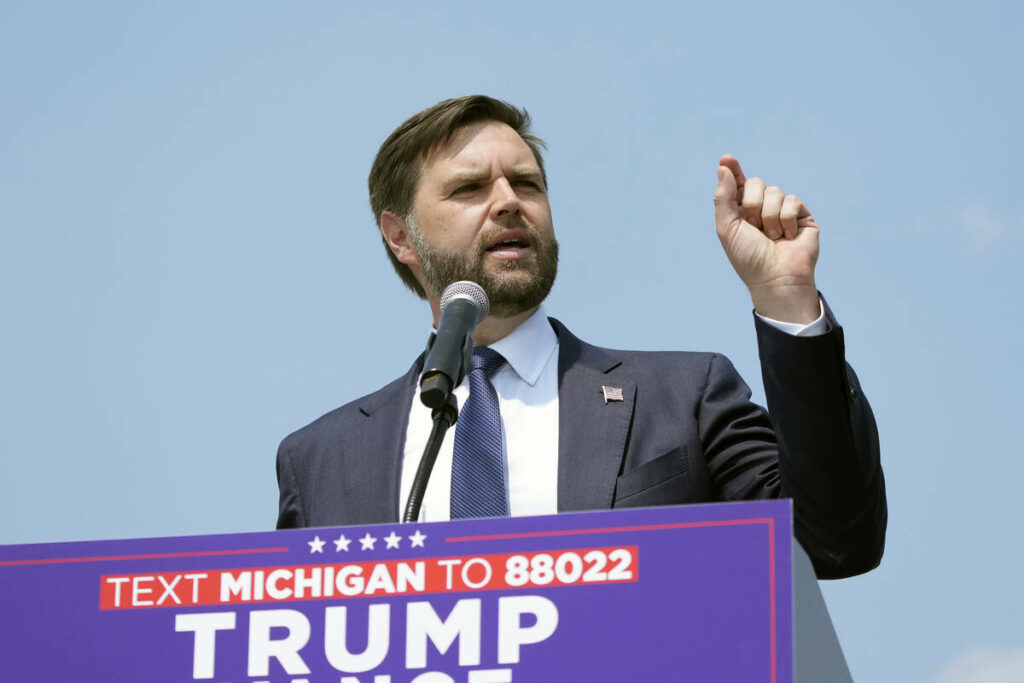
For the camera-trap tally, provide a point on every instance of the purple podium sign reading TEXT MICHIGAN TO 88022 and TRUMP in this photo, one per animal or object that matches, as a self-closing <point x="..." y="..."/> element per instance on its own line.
<point x="699" y="593"/>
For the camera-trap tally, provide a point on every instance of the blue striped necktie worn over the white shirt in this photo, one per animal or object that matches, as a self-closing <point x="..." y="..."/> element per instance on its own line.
<point x="478" y="466"/>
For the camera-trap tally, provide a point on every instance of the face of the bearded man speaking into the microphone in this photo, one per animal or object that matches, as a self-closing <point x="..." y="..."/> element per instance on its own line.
<point x="482" y="214"/>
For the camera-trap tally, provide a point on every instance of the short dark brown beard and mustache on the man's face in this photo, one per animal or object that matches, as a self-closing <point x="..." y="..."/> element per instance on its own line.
<point x="508" y="297"/>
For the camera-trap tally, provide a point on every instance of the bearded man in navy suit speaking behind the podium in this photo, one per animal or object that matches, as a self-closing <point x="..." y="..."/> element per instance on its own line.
<point x="460" y="193"/>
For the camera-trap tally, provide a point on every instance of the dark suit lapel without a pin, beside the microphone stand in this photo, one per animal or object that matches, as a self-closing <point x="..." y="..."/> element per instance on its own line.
<point x="387" y="423"/>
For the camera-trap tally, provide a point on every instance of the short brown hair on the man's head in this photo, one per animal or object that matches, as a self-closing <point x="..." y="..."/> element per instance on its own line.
<point x="397" y="169"/>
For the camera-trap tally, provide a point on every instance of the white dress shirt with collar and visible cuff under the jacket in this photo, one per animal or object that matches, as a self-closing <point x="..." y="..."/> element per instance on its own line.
<point x="528" y="397"/>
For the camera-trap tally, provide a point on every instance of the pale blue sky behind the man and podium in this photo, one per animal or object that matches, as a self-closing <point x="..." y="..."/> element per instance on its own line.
<point x="190" y="269"/>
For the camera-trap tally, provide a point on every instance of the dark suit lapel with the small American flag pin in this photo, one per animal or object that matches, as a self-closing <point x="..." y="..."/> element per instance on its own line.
<point x="592" y="434"/>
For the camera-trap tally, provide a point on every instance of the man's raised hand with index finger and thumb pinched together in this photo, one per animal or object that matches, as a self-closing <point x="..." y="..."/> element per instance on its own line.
<point x="773" y="242"/>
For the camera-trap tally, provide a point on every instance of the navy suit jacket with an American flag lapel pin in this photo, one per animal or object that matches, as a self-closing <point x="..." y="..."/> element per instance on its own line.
<point x="686" y="433"/>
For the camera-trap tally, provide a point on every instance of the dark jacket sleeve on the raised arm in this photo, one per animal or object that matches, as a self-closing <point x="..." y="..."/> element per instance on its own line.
<point x="829" y="456"/>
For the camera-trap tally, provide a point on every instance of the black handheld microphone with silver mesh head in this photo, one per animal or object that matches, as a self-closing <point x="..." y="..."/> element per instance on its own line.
<point x="464" y="306"/>
